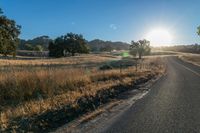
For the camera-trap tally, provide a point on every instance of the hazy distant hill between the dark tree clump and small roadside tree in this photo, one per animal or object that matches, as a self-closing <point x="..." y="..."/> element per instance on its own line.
<point x="100" y="45"/>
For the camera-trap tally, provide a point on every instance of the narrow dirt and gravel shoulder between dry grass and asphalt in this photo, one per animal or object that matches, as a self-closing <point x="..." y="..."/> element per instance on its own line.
<point x="104" y="115"/>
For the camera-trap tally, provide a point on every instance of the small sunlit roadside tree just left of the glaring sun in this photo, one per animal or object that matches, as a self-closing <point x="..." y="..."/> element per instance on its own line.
<point x="141" y="47"/>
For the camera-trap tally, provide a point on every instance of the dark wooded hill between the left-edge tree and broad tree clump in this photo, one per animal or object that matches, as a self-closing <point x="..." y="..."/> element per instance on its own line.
<point x="33" y="44"/>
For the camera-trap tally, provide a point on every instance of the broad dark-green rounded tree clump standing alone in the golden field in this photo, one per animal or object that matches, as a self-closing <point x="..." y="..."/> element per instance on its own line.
<point x="66" y="45"/>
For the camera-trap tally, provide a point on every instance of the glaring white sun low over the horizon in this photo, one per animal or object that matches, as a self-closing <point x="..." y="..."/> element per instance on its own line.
<point x="159" y="37"/>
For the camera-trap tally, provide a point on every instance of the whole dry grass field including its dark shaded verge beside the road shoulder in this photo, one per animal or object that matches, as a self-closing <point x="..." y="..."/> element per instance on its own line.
<point x="43" y="98"/>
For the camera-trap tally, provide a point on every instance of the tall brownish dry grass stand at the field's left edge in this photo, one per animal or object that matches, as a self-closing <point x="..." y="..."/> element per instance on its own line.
<point x="18" y="86"/>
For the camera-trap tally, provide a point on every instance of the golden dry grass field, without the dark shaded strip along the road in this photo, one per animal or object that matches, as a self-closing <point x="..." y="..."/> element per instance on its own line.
<point x="29" y="91"/>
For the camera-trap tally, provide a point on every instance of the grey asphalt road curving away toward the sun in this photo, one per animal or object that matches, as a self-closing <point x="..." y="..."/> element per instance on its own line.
<point x="172" y="105"/>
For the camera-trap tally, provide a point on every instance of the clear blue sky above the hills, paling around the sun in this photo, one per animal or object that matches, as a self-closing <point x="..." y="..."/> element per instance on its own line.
<point x="116" y="20"/>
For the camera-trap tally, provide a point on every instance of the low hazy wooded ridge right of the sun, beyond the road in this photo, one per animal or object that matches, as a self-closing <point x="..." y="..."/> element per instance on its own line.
<point x="195" y="48"/>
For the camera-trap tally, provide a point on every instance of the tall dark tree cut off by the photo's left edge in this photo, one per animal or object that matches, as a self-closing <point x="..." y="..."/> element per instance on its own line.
<point x="9" y="33"/>
